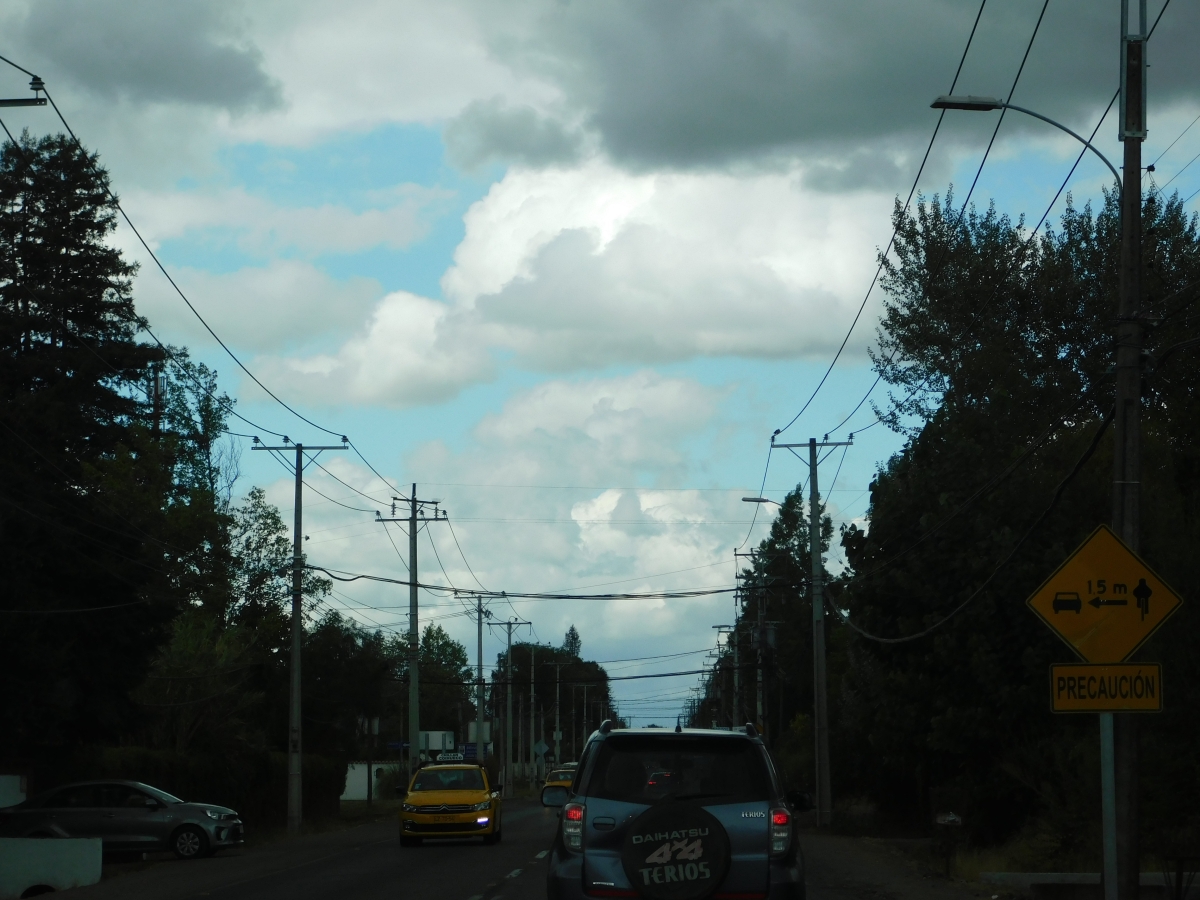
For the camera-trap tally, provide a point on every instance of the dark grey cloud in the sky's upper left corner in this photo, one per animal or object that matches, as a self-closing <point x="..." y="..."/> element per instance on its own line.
<point x="151" y="51"/>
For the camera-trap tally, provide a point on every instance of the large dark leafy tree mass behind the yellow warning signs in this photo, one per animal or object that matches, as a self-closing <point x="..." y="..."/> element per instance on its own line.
<point x="999" y="347"/>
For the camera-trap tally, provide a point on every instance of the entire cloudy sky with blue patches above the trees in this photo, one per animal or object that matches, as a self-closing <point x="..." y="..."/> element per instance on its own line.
<point x="565" y="266"/>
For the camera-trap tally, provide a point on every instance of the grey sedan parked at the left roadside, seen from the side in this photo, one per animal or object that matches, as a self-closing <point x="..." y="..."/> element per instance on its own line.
<point x="127" y="815"/>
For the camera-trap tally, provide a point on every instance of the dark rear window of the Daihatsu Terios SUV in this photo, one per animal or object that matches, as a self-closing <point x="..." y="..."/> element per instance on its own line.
<point x="645" y="770"/>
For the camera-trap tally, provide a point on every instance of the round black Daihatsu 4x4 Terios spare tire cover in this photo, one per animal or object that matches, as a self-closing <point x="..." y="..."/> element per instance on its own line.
<point x="676" y="851"/>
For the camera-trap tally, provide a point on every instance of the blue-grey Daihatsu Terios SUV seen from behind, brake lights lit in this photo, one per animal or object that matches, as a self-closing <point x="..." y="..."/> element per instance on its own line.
<point x="677" y="815"/>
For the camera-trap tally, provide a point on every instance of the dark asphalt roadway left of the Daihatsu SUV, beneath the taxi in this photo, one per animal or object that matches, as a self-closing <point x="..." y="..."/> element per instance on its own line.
<point x="357" y="865"/>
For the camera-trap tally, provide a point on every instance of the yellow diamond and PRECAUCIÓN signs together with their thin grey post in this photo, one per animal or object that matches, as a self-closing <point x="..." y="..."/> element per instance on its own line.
<point x="1106" y="603"/>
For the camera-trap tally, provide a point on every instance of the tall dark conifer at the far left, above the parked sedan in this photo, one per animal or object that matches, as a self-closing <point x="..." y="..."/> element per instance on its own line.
<point x="85" y="519"/>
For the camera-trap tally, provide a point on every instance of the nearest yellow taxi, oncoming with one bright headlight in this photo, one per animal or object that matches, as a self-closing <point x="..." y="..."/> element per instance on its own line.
<point x="451" y="801"/>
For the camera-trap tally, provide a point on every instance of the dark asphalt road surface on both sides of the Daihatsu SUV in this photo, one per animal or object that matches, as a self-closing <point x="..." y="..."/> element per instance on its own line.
<point x="367" y="862"/>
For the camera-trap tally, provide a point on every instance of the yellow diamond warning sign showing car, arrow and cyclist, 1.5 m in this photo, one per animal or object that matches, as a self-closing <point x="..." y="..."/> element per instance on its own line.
<point x="1105" y="602"/>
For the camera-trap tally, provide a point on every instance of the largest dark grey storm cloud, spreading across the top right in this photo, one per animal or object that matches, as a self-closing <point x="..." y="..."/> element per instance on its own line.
<point x="686" y="83"/>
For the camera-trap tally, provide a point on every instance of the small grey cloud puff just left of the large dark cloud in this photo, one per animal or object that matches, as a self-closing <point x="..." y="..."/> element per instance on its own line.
<point x="491" y="130"/>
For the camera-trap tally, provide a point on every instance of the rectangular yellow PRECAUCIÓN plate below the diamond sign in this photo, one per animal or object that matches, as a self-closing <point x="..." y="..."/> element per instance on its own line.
<point x="1124" y="688"/>
